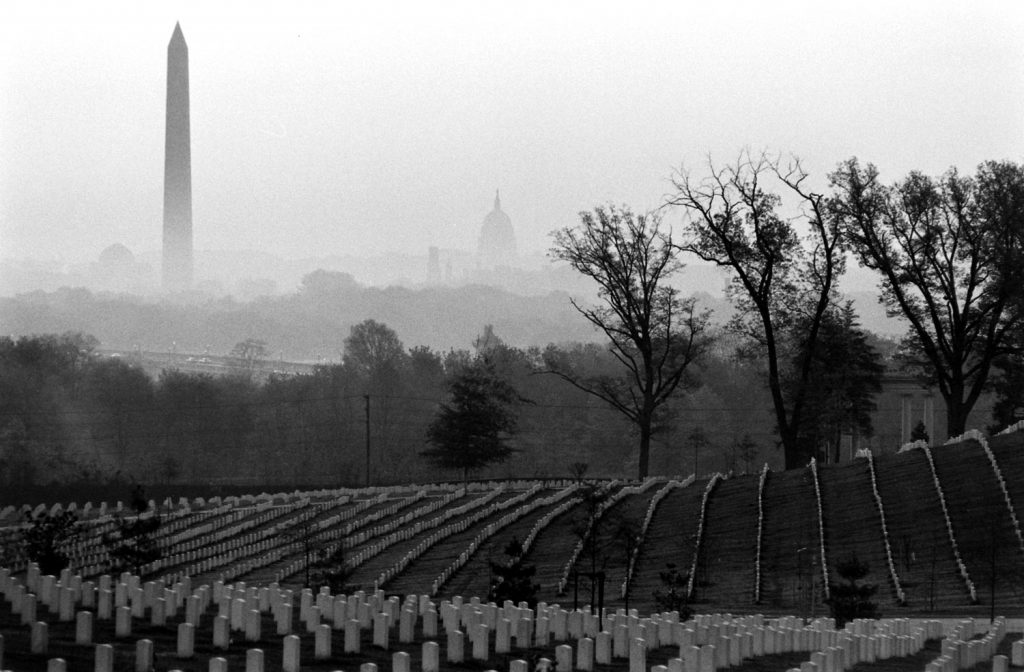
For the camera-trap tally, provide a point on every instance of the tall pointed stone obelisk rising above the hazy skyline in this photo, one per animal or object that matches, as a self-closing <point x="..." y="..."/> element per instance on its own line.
<point x="178" y="268"/>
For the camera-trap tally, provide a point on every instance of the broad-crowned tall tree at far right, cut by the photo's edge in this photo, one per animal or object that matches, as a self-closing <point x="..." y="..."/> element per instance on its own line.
<point x="951" y="257"/>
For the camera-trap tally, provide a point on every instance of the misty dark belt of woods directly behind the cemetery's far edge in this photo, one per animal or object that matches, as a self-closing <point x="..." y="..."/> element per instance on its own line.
<point x="68" y="414"/>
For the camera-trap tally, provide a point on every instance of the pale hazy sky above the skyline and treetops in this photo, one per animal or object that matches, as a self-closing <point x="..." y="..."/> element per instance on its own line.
<point x="388" y="127"/>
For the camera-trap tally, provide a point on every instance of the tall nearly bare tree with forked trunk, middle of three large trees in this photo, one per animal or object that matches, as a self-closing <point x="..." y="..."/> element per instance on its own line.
<point x="779" y="279"/>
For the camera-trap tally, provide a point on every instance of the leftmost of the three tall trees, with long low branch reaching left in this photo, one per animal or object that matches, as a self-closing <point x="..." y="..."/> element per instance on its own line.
<point x="654" y="332"/>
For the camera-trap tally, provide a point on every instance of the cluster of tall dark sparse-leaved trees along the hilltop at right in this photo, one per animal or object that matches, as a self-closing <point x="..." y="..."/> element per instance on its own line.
<point x="949" y="251"/>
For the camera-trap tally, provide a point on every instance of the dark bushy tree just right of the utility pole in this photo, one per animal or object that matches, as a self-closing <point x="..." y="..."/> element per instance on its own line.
<point x="474" y="431"/>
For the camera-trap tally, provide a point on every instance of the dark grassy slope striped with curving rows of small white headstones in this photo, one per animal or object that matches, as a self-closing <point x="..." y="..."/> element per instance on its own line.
<point x="408" y="537"/>
